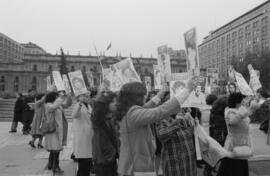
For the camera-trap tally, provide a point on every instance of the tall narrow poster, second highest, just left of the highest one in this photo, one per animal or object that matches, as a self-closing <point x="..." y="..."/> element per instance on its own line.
<point x="164" y="63"/>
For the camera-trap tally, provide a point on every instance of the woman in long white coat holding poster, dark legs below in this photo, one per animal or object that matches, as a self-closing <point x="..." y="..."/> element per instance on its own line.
<point x="83" y="133"/>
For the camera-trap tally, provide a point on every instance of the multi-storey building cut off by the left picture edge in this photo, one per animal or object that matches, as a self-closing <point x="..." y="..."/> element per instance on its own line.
<point x="10" y="50"/>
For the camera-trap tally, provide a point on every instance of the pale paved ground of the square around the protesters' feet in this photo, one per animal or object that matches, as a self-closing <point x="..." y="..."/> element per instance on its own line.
<point x="18" y="159"/>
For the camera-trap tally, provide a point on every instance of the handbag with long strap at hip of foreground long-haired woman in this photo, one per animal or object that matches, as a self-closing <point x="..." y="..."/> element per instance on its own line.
<point x="140" y="163"/>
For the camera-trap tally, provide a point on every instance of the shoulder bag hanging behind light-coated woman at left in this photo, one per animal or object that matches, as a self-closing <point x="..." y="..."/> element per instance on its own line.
<point x="48" y="124"/>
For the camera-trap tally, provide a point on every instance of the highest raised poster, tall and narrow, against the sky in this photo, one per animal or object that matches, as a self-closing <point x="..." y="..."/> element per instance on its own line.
<point x="191" y="50"/>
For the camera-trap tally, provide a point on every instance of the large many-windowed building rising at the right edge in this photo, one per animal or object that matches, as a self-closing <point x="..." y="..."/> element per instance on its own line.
<point x="249" y="33"/>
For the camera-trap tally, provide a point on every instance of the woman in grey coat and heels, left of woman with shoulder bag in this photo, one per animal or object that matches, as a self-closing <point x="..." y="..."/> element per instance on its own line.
<point x="39" y="107"/>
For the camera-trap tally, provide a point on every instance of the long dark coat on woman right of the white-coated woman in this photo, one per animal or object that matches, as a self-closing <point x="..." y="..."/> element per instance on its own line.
<point x="104" y="142"/>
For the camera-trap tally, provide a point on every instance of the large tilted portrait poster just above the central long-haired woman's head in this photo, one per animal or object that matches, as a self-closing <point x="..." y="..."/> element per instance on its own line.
<point x="126" y="70"/>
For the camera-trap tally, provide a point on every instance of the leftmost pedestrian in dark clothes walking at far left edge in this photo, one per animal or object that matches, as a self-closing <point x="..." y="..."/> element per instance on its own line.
<point x="17" y="113"/>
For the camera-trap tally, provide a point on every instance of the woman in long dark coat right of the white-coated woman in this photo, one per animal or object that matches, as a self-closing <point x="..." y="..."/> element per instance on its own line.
<point x="105" y="143"/>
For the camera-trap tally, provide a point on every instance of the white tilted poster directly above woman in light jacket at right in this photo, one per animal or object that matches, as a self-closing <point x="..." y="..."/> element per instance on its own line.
<point x="242" y="85"/>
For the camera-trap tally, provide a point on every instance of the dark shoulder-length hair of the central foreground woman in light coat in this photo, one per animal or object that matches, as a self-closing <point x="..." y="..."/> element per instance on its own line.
<point x="129" y="95"/>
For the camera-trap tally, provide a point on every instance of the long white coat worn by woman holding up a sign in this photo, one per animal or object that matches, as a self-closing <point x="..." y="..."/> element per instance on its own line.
<point x="82" y="131"/>
